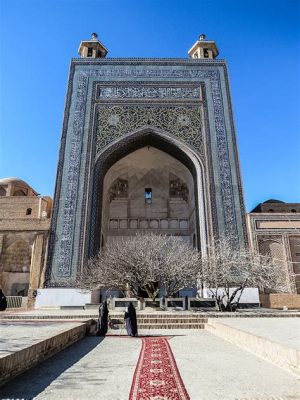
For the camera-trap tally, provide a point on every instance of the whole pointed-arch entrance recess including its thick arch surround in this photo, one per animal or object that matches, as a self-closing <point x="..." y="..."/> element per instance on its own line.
<point x="123" y="203"/>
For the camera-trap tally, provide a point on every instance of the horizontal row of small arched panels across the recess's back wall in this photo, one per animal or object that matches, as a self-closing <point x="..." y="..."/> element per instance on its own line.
<point x="149" y="223"/>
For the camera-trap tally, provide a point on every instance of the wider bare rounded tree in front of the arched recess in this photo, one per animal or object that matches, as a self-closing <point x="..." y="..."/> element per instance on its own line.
<point x="142" y="263"/>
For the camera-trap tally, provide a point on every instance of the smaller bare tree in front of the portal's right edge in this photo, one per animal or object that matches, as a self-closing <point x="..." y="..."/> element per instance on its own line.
<point x="228" y="271"/>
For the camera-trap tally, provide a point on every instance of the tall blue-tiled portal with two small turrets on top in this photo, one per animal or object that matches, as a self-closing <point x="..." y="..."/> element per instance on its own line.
<point x="147" y="145"/>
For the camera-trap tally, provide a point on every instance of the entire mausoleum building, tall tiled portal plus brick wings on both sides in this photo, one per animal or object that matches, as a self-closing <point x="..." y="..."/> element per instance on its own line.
<point x="147" y="145"/>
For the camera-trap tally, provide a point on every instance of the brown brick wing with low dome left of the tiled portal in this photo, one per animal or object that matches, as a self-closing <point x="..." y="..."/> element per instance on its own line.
<point x="24" y="230"/>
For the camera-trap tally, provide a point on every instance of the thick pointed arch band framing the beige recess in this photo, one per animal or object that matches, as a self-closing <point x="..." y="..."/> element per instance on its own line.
<point x="119" y="148"/>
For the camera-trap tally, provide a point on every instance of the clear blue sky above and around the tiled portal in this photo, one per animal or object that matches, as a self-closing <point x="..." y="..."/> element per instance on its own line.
<point x="260" y="40"/>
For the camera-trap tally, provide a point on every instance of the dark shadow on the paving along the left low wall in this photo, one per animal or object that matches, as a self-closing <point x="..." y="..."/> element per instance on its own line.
<point x="34" y="381"/>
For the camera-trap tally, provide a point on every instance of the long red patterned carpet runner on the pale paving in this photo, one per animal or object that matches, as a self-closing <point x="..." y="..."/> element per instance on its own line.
<point x="156" y="376"/>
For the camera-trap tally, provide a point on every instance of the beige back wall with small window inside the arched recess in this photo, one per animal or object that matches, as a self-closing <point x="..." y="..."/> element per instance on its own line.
<point x="148" y="190"/>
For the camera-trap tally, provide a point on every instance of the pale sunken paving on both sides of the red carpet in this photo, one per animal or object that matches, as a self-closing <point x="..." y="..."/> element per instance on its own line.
<point x="211" y="369"/>
